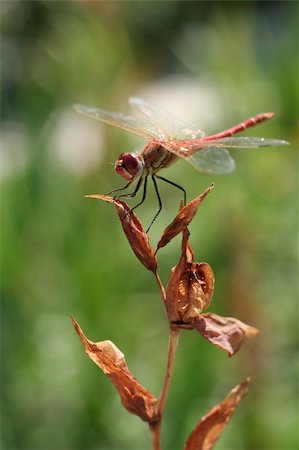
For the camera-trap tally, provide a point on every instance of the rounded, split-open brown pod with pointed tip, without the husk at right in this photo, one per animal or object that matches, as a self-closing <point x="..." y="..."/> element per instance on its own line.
<point x="190" y="287"/>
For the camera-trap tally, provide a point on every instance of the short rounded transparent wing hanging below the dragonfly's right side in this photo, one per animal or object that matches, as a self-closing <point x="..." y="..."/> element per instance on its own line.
<point x="212" y="160"/>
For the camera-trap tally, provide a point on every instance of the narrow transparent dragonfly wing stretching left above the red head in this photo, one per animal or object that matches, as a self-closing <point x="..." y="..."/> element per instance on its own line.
<point x="140" y="127"/>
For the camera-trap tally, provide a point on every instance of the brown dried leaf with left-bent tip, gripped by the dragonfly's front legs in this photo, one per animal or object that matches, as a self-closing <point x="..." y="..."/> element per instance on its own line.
<point x="132" y="227"/>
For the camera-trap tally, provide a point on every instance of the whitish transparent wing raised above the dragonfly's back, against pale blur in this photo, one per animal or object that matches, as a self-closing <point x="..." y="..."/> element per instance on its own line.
<point x="170" y="128"/>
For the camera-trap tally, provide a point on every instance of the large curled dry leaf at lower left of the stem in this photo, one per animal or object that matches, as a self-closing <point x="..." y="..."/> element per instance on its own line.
<point x="134" y="397"/>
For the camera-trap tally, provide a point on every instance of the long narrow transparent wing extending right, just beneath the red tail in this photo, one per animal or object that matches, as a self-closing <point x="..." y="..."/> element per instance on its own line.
<point x="244" y="142"/>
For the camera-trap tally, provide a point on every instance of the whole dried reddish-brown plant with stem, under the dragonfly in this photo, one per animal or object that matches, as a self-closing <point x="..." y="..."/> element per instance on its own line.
<point x="188" y="293"/>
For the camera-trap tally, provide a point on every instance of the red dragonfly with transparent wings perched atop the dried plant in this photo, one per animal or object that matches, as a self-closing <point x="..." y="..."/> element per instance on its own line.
<point x="168" y="140"/>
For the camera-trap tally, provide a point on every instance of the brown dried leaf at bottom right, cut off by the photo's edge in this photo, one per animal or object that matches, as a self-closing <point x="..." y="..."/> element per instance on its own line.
<point x="209" y="429"/>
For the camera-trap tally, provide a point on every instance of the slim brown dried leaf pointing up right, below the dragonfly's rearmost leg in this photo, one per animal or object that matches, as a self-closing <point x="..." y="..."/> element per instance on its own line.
<point x="183" y="219"/>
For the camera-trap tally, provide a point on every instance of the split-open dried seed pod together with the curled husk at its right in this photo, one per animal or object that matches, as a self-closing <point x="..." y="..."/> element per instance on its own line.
<point x="189" y="291"/>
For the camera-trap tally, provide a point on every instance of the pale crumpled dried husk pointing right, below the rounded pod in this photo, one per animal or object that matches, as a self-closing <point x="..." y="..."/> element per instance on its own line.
<point x="227" y="333"/>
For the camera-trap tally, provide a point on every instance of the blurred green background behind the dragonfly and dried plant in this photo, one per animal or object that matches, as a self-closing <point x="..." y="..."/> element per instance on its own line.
<point x="212" y="64"/>
